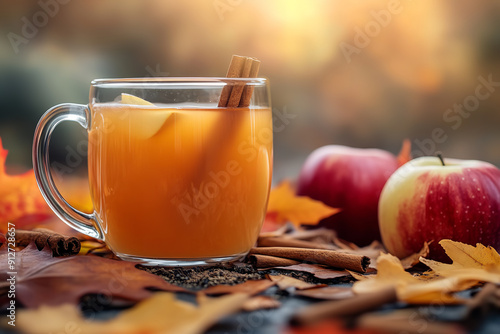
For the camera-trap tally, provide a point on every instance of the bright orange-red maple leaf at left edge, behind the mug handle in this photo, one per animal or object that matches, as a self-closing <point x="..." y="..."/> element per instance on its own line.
<point x="20" y="199"/>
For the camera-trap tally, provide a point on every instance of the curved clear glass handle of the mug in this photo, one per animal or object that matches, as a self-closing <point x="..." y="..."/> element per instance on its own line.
<point x="80" y="221"/>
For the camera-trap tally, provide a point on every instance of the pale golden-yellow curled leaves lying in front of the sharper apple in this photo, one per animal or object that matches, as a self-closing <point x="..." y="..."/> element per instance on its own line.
<point x="471" y="265"/>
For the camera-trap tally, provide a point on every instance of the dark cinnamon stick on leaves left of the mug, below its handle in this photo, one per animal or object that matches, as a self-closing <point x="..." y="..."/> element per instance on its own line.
<point x="59" y="244"/>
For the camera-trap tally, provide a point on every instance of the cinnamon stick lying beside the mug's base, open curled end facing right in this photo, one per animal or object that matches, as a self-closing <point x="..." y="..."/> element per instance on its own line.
<point x="331" y="258"/>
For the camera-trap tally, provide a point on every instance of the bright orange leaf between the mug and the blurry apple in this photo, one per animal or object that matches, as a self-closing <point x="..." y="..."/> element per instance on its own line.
<point x="285" y="206"/>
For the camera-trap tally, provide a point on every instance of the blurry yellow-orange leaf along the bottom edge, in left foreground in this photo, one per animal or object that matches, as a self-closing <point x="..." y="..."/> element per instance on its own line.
<point x="162" y="313"/>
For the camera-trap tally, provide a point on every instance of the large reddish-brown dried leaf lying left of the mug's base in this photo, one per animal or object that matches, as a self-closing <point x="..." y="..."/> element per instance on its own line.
<point x="42" y="279"/>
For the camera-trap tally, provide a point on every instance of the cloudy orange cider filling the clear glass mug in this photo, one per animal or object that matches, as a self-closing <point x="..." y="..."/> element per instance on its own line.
<point x="180" y="183"/>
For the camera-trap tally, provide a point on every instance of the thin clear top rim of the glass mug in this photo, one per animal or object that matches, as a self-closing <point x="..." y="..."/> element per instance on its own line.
<point x="110" y="82"/>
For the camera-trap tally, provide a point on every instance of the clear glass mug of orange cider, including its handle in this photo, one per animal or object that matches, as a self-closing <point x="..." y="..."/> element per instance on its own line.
<point x="174" y="179"/>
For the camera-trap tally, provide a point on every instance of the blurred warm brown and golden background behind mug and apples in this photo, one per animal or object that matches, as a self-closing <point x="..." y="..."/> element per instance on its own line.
<point x="359" y="73"/>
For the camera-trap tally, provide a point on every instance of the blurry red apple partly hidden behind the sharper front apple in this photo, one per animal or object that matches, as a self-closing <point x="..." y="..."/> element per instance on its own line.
<point x="350" y="179"/>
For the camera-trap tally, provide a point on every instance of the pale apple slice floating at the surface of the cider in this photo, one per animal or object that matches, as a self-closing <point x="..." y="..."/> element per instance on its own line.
<point x="146" y="122"/>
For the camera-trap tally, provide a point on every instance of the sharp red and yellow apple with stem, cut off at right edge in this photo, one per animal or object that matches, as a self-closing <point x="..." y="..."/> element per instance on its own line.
<point x="428" y="200"/>
